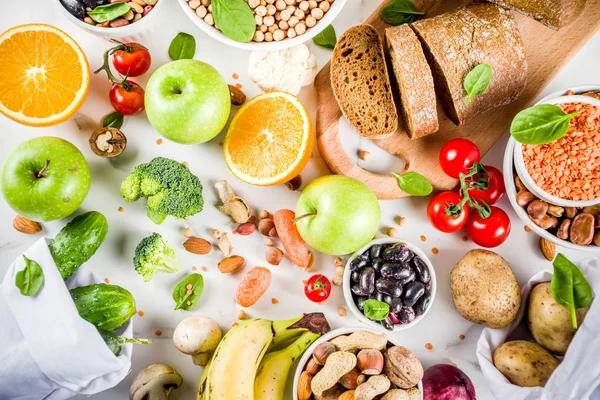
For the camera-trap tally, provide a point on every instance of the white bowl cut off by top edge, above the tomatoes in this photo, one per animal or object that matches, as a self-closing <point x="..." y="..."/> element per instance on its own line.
<point x="122" y="32"/>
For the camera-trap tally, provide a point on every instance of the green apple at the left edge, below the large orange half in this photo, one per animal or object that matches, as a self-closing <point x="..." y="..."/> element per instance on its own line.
<point x="45" y="178"/>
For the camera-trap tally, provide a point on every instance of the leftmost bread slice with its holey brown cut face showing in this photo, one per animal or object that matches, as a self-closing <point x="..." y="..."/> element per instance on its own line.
<point x="361" y="83"/>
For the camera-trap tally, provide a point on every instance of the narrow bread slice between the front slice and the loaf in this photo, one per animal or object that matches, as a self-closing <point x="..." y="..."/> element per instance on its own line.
<point x="413" y="80"/>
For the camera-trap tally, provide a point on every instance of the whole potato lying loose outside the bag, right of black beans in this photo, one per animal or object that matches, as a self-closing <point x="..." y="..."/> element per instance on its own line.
<point x="485" y="290"/>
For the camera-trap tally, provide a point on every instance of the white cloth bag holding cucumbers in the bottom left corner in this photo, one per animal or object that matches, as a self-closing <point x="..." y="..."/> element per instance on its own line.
<point x="47" y="351"/>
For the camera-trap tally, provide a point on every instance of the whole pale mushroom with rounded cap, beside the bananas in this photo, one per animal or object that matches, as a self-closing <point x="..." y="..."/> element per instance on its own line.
<point x="198" y="337"/>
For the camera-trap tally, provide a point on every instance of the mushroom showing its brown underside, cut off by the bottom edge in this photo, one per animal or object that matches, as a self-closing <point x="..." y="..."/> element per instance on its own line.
<point x="154" y="382"/>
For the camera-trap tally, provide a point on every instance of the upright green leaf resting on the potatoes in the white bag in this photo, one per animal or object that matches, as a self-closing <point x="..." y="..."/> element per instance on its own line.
<point x="569" y="286"/>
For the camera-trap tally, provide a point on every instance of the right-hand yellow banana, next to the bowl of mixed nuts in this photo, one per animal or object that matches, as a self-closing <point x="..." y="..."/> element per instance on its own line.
<point x="274" y="368"/>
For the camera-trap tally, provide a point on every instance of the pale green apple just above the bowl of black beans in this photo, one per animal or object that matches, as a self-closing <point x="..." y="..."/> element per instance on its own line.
<point x="337" y="215"/>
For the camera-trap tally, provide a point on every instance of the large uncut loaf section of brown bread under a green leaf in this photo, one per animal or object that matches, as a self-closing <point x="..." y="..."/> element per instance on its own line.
<point x="457" y="42"/>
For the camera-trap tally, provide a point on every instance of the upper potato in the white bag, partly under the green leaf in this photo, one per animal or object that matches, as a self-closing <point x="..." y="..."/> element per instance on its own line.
<point x="549" y="322"/>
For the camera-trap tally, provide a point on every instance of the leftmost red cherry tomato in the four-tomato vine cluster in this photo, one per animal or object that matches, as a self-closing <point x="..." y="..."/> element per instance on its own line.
<point x="443" y="220"/>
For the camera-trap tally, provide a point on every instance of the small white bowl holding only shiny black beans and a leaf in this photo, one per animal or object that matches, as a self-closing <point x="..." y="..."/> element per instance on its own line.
<point x="347" y="282"/>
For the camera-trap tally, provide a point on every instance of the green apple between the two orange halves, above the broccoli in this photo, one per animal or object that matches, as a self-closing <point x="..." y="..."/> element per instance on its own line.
<point x="187" y="101"/>
